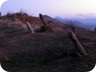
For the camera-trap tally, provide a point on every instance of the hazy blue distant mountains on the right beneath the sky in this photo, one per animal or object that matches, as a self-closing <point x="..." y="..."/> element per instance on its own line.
<point x="88" y="23"/>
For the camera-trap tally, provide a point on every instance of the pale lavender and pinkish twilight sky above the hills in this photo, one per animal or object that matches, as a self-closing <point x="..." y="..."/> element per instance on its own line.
<point x="62" y="8"/>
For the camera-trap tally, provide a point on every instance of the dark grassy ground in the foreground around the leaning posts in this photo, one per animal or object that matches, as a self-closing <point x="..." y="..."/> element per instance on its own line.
<point x="21" y="51"/>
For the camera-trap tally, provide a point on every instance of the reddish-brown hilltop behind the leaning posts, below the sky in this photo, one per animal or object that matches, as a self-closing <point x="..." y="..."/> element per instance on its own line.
<point x="21" y="19"/>
